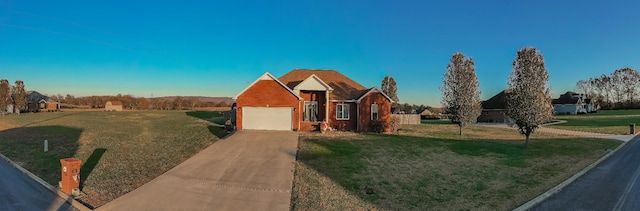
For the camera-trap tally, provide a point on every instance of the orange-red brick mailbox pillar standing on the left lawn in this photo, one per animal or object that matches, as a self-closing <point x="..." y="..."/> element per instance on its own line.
<point x="70" y="182"/>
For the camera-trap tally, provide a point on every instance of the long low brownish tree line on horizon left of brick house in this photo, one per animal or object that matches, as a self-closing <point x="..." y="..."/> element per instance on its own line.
<point x="137" y="103"/>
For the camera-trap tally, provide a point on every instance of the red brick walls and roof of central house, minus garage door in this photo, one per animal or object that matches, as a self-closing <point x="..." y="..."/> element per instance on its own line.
<point x="271" y="92"/>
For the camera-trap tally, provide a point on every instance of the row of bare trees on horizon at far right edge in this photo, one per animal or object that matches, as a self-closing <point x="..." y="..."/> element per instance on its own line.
<point x="618" y="90"/>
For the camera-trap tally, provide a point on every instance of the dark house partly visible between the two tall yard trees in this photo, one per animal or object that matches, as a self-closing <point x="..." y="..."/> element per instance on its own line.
<point x="495" y="109"/>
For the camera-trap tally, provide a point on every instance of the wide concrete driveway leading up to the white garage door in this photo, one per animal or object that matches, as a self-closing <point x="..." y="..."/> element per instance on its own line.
<point x="250" y="170"/>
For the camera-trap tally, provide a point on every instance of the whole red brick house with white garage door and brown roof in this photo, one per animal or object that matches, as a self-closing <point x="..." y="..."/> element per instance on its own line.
<point x="302" y="100"/>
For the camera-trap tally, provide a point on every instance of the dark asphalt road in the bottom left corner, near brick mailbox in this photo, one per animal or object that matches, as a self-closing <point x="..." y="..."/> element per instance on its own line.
<point x="19" y="192"/>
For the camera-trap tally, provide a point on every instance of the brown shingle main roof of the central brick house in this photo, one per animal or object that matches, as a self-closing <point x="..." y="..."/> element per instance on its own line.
<point x="343" y="87"/>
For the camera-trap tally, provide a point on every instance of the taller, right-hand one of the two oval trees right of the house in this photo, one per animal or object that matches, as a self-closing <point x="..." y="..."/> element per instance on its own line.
<point x="529" y="102"/>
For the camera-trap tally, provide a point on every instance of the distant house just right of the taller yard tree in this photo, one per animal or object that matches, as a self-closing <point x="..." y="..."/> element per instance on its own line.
<point x="572" y="103"/>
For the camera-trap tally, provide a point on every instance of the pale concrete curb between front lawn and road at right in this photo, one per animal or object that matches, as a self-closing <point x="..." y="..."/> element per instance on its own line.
<point x="530" y="204"/>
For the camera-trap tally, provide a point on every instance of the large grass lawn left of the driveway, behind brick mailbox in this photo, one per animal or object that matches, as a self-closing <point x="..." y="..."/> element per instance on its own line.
<point x="120" y="151"/>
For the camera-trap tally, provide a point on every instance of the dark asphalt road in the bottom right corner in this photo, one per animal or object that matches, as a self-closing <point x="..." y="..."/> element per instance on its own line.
<point x="611" y="185"/>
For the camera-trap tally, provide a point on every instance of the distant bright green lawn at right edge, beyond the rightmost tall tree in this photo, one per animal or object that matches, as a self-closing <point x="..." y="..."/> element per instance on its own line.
<point x="608" y="122"/>
